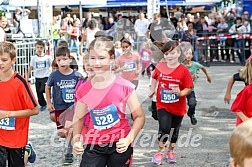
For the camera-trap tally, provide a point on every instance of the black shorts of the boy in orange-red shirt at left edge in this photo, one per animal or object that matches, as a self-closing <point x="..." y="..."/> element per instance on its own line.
<point x="14" y="156"/>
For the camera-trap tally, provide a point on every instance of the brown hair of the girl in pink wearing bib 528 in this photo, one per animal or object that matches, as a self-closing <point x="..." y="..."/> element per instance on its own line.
<point x="103" y="43"/>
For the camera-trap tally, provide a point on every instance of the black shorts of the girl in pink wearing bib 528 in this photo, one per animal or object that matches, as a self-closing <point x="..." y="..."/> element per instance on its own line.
<point x="102" y="156"/>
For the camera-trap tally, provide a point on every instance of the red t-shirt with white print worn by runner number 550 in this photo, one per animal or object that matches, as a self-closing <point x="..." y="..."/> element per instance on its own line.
<point x="167" y="79"/>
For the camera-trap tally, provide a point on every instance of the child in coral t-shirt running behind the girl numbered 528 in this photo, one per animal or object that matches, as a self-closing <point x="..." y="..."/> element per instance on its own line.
<point x="128" y="64"/>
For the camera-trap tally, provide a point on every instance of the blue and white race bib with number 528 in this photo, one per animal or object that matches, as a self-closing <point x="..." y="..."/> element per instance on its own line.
<point x="105" y="118"/>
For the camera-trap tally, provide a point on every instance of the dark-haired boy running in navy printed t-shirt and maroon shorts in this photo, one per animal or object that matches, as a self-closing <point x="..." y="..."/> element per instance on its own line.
<point x="63" y="81"/>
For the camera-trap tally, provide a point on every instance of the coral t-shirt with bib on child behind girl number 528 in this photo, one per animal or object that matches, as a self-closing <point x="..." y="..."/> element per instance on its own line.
<point x="130" y="72"/>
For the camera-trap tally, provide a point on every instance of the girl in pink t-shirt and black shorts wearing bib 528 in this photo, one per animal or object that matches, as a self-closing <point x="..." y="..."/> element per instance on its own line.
<point x="109" y="137"/>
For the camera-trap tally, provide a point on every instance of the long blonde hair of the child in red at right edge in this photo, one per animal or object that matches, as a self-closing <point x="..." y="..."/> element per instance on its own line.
<point x="246" y="72"/>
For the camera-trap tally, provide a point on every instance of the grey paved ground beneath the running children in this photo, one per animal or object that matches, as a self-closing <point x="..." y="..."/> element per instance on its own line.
<point x="203" y="145"/>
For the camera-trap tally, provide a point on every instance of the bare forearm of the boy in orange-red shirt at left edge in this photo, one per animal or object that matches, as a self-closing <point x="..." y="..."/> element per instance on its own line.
<point x="19" y="113"/>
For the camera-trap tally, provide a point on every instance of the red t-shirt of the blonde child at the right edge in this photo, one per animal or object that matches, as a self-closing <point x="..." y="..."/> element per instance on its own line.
<point x="243" y="103"/>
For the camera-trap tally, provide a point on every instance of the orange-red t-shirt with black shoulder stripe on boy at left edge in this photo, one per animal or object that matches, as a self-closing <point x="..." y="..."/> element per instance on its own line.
<point x="15" y="95"/>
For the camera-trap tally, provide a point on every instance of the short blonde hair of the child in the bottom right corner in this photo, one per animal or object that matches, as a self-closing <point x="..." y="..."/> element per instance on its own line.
<point x="240" y="143"/>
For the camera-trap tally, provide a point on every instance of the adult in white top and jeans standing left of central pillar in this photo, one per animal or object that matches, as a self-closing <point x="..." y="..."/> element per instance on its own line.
<point x="141" y="27"/>
